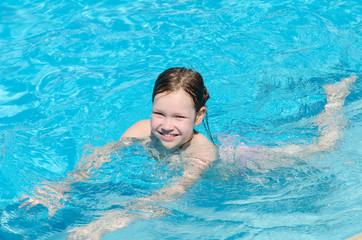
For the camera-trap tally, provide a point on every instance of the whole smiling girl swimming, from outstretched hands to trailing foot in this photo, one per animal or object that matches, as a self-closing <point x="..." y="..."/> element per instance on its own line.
<point x="179" y="98"/>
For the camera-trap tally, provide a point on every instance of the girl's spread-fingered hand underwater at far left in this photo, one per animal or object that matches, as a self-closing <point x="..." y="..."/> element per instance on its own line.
<point x="51" y="195"/>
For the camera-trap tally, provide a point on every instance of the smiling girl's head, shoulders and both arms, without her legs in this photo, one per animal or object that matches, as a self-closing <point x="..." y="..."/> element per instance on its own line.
<point x="179" y="98"/>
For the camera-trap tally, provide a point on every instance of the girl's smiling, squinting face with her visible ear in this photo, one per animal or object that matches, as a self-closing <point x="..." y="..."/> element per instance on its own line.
<point x="173" y="118"/>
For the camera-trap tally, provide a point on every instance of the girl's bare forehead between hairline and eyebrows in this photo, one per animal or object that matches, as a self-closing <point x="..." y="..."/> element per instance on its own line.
<point x="176" y="99"/>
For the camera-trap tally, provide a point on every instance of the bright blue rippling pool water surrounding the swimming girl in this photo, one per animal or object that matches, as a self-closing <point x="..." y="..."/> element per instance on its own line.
<point x="75" y="73"/>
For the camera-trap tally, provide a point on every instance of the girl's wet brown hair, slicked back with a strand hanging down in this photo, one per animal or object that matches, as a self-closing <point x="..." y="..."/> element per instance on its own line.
<point x="188" y="80"/>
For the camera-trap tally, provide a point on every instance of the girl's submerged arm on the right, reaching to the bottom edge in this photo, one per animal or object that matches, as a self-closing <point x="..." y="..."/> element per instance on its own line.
<point x="148" y="207"/>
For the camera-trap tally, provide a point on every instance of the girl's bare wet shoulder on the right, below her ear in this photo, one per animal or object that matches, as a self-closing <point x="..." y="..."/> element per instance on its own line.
<point x="201" y="148"/>
